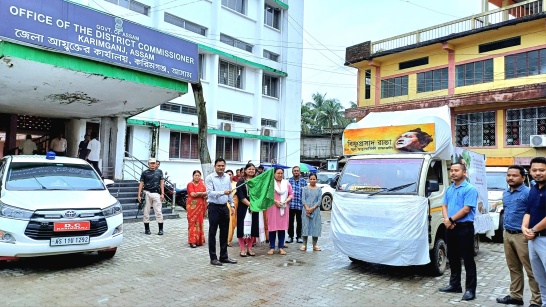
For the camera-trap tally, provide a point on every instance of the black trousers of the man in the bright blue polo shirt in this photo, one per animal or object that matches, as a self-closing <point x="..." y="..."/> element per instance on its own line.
<point x="460" y="244"/>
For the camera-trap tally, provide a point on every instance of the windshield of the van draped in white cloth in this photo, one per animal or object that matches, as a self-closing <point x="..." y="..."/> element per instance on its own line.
<point x="374" y="175"/>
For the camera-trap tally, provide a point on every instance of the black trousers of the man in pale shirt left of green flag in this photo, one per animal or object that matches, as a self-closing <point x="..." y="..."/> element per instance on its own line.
<point x="218" y="217"/>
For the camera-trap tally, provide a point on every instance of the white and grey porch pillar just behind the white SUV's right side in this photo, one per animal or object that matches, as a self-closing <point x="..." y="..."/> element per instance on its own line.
<point x="112" y="140"/>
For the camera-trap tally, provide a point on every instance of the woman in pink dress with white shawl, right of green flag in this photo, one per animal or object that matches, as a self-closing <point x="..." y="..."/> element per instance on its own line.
<point x="277" y="215"/>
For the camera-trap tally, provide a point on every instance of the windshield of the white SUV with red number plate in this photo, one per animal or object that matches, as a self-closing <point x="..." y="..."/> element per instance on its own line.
<point x="31" y="176"/>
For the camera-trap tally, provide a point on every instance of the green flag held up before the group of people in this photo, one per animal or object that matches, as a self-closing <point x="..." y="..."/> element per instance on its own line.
<point x="261" y="191"/>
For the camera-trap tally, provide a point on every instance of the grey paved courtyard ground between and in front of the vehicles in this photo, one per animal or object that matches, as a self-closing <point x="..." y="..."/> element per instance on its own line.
<point x="164" y="271"/>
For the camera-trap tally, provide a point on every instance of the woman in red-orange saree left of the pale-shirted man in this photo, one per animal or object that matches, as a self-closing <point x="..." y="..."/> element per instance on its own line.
<point x="196" y="208"/>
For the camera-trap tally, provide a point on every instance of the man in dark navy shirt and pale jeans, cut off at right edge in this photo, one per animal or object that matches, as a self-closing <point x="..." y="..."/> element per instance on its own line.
<point x="534" y="224"/>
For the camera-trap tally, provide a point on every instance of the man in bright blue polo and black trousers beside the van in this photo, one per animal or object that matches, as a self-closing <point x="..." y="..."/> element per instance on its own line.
<point x="458" y="209"/>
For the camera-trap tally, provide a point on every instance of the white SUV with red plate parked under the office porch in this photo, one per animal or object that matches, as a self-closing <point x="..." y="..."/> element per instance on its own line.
<point x="55" y="205"/>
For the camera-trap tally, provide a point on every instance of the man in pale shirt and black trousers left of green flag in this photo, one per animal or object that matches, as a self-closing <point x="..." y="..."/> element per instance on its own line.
<point x="219" y="193"/>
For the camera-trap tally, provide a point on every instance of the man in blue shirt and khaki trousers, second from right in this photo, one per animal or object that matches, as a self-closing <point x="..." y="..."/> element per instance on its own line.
<point x="514" y="200"/>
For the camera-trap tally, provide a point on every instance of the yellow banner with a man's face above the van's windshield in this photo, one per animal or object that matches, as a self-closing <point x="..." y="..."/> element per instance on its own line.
<point x="417" y="138"/>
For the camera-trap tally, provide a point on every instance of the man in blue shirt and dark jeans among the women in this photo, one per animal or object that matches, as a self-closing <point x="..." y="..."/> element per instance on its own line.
<point x="296" y="205"/>
